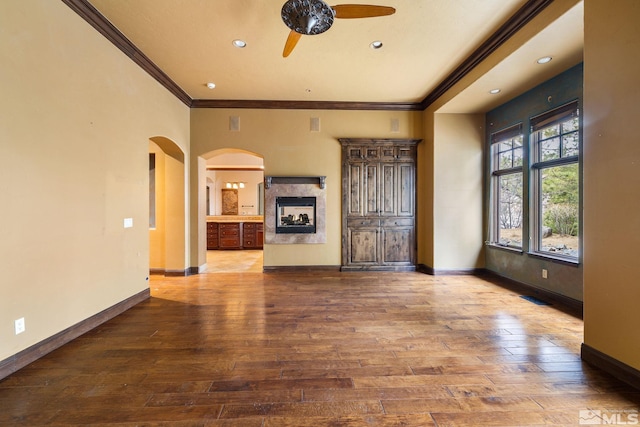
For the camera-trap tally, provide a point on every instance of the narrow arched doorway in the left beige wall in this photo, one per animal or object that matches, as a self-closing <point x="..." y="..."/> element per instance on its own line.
<point x="167" y="220"/>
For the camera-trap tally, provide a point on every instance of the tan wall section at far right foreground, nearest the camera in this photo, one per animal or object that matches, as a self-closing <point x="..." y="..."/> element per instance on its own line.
<point x="612" y="179"/>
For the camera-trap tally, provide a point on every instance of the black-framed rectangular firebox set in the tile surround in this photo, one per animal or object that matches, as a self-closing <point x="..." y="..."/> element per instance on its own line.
<point x="295" y="215"/>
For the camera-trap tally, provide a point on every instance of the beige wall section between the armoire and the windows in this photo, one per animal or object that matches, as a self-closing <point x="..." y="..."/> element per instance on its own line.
<point x="450" y="170"/>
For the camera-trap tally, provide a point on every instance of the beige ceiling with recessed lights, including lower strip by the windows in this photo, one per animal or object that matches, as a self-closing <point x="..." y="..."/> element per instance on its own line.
<point x="424" y="41"/>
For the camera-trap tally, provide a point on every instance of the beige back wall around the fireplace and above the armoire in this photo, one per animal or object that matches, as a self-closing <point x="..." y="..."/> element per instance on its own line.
<point x="289" y="148"/>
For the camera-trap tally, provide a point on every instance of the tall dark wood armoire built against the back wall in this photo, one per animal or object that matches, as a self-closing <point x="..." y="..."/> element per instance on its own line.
<point x="378" y="204"/>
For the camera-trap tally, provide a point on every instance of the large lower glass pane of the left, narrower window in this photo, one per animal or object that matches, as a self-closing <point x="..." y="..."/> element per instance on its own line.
<point x="510" y="210"/>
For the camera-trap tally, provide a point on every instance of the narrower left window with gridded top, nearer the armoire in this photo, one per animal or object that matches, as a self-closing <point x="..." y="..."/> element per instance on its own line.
<point x="507" y="186"/>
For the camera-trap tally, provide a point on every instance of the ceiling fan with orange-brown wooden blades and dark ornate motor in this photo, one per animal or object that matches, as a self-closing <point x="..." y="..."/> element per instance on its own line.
<point x="311" y="17"/>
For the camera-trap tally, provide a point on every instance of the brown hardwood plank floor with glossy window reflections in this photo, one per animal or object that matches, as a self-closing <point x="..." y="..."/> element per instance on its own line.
<point x="317" y="349"/>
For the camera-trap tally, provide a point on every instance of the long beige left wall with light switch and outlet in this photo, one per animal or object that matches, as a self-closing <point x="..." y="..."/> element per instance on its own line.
<point x="77" y="116"/>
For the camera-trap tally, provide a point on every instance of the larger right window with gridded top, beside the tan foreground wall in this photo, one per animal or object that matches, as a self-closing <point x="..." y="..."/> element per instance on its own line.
<point x="555" y="140"/>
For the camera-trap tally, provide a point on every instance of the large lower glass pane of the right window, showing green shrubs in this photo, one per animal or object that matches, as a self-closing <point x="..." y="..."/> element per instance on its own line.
<point x="559" y="198"/>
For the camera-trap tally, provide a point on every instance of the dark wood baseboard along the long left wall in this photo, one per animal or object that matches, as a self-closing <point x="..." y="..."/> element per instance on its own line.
<point x="36" y="351"/>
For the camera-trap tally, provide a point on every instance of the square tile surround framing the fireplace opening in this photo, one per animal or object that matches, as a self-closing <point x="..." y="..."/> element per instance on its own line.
<point x="294" y="186"/>
